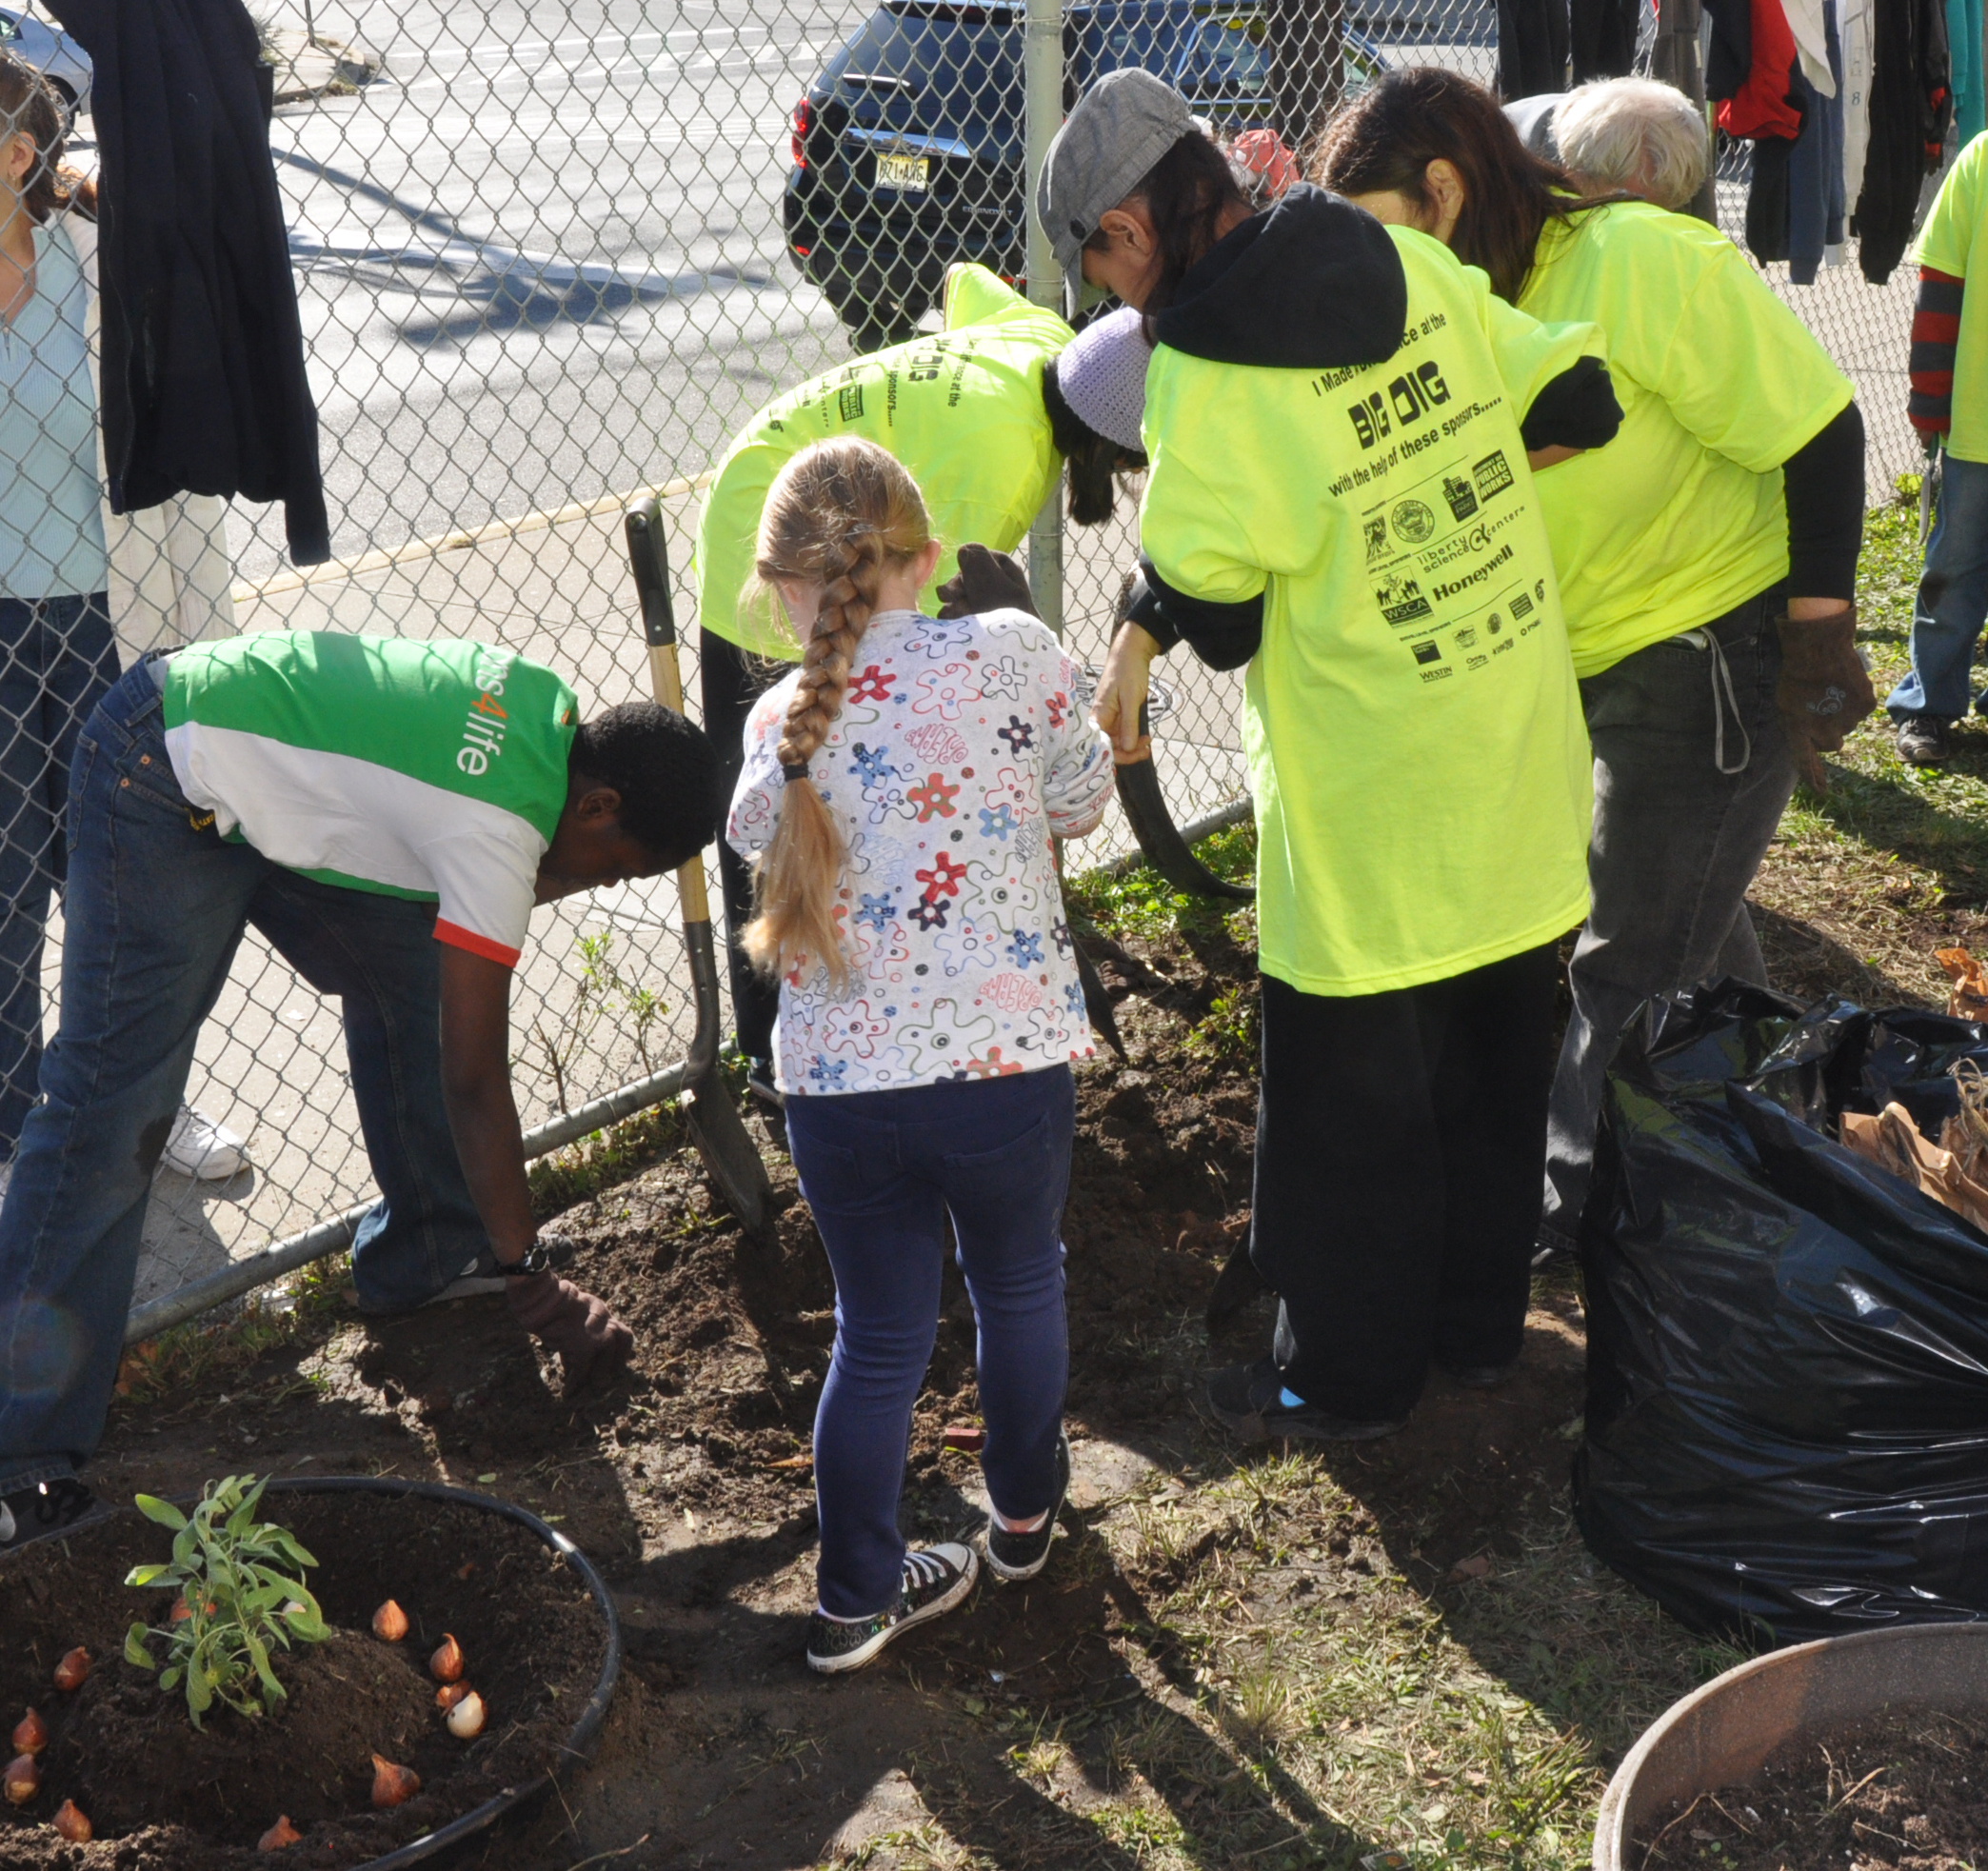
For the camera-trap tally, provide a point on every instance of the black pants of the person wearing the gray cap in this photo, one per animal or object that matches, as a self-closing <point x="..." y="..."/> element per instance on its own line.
<point x="1401" y="1142"/>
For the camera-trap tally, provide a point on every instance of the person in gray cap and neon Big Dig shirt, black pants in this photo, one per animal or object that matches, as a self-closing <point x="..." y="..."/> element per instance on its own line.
<point x="1341" y="421"/>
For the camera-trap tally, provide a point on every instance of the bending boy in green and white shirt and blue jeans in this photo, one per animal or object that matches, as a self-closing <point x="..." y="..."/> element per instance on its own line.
<point x="385" y="814"/>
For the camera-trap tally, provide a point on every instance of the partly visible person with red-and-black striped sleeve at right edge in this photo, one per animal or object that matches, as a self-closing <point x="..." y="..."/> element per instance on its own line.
<point x="1949" y="407"/>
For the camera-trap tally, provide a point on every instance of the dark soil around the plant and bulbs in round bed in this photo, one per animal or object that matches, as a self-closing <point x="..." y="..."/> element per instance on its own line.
<point x="164" y="1796"/>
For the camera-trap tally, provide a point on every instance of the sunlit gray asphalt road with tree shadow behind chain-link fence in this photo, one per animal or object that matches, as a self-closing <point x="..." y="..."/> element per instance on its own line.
<point x="540" y="259"/>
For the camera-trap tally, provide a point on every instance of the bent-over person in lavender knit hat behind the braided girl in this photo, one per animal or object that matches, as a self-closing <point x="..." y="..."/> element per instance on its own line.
<point x="987" y="415"/>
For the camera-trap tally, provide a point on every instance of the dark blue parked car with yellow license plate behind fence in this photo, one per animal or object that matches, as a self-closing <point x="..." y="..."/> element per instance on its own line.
<point x="908" y="150"/>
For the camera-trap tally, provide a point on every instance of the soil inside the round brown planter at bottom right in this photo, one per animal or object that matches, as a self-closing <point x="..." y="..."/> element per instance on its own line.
<point x="1904" y="1792"/>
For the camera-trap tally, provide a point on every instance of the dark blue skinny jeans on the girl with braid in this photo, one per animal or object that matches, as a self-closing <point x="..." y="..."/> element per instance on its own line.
<point x="882" y="1172"/>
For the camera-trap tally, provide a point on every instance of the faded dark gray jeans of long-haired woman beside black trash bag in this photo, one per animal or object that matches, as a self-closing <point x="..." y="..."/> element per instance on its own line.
<point x="1691" y="778"/>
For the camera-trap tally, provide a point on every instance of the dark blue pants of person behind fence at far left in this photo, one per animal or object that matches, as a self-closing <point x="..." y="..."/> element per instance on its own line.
<point x="57" y="661"/>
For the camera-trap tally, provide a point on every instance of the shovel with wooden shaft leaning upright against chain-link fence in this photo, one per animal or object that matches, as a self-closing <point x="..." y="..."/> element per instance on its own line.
<point x="717" y="1128"/>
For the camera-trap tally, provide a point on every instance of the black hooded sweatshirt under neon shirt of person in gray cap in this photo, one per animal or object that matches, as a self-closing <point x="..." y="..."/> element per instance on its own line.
<point x="1315" y="283"/>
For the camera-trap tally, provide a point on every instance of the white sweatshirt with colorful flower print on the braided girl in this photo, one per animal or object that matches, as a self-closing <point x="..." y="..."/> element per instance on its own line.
<point x="961" y="751"/>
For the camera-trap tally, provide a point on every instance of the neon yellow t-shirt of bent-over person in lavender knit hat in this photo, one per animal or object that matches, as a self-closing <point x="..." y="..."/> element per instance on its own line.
<point x="961" y="411"/>
